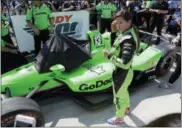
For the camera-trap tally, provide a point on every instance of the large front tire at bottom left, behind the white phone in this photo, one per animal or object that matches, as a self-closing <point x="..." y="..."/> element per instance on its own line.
<point x="20" y="105"/>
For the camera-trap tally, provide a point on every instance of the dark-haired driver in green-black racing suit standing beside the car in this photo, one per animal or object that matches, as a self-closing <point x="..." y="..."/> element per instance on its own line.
<point x="125" y="46"/>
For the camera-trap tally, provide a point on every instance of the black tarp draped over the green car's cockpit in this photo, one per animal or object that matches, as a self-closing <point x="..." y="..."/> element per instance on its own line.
<point x="61" y="49"/>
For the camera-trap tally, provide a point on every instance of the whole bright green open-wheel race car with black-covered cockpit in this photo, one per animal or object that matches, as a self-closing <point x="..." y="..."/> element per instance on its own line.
<point x="78" y="67"/>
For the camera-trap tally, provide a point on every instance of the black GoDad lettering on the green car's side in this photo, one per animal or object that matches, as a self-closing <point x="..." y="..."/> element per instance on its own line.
<point x="98" y="84"/>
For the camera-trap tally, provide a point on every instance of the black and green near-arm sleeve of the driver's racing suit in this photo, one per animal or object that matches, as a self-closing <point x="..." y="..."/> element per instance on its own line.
<point x="127" y="50"/>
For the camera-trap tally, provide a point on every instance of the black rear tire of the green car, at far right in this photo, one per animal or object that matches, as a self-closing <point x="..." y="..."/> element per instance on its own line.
<point x="165" y="63"/>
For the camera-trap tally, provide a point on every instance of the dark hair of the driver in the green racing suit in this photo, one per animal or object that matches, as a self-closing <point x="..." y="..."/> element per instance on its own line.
<point x="125" y="14"/>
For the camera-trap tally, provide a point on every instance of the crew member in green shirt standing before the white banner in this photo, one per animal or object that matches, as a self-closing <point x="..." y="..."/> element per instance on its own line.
<point x="39" y="18"/>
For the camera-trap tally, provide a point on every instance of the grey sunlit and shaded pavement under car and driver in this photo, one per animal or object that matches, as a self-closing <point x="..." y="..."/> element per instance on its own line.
<point x="148" y="102"/>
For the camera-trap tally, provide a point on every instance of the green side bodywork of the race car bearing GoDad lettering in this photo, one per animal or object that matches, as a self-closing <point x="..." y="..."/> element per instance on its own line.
<point x="93" y="75"/>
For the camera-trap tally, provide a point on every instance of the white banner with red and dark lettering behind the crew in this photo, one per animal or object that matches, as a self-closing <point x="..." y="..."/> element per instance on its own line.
<point x="74" y="23"/>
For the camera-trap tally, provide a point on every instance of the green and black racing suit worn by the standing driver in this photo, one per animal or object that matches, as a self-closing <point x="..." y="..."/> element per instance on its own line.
<point x="124" y="48"/>
